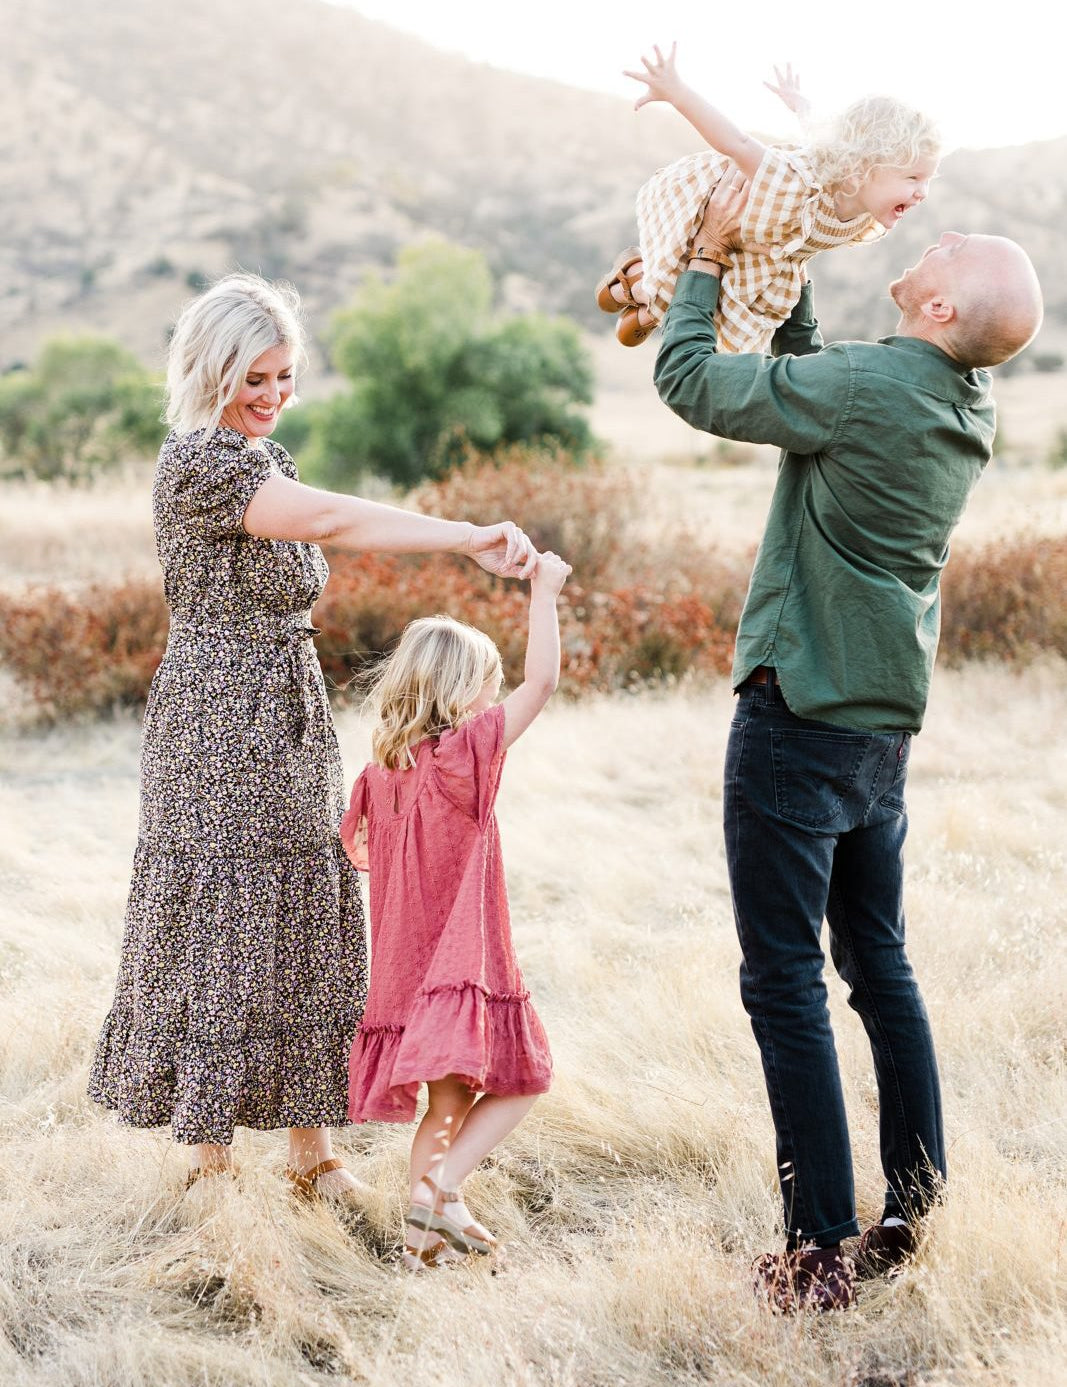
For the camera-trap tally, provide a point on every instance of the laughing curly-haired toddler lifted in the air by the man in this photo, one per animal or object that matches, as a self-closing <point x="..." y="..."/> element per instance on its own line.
<point x="850" y="184"/>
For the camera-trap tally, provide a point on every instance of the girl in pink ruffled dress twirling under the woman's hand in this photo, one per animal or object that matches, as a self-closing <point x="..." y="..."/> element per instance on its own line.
<point x="447" y="1006"/>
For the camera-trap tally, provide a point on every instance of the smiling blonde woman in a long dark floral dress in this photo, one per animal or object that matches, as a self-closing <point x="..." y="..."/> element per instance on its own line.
<point x="244" y="966"/>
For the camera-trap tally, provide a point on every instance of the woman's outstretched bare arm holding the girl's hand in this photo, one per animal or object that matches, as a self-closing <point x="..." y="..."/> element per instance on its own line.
<point x="285" y="510"/>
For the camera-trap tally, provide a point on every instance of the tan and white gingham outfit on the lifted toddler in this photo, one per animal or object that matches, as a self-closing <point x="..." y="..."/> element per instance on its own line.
<point x="789" y="216"/>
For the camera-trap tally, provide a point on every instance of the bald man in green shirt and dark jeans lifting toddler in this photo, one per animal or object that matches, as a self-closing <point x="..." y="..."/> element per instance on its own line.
<point x="882" y="447"/>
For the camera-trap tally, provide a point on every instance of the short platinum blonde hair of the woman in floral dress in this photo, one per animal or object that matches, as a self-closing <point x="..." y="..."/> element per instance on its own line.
<point x="217" y="339"/>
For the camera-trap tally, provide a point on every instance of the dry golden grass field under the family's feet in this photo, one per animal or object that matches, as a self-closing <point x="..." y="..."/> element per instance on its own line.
<point x="639" y="1191"/>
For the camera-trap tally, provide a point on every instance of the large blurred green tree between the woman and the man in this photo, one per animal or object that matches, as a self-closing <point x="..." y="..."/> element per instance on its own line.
<point x="434" y="371"/>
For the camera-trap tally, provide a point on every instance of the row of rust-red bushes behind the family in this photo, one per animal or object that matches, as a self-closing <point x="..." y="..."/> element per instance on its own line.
<point x="631" y="614"/>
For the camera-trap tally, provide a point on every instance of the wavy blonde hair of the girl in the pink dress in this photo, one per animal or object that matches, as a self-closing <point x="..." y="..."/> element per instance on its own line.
<point x="428" y="686"/>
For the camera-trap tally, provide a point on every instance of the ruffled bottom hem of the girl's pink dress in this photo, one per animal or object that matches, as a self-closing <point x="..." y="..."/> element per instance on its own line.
<point x="495" y="1041"/>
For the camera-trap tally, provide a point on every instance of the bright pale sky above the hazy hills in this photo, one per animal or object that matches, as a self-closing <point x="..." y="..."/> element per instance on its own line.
<point x="989" y="74"/>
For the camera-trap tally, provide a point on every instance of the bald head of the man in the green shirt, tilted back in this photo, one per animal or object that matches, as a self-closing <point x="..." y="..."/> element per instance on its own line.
<point x="976" y="298"/>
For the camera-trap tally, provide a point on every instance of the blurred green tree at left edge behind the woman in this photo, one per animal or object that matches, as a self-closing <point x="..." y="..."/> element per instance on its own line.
<point x="87" y="404"/>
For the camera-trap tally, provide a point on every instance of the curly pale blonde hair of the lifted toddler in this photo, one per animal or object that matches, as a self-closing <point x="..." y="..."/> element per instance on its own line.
<point x="872" y="134"/>
